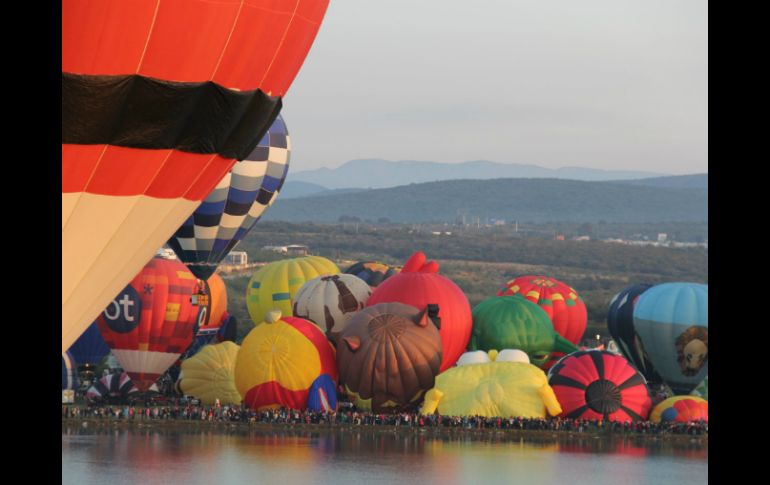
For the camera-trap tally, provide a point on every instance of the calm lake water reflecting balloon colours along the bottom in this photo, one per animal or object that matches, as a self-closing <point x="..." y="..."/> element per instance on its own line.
<point x="168" y="456"/>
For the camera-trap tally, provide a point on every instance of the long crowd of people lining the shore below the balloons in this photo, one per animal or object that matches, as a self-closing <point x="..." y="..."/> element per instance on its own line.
<point x="236" y="414"/>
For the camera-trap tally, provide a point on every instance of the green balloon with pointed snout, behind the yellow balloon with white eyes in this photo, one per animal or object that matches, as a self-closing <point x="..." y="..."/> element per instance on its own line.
<point x="512" y="322"/>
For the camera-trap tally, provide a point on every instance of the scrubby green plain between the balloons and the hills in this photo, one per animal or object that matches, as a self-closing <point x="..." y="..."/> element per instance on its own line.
<point x="480" y="263"/>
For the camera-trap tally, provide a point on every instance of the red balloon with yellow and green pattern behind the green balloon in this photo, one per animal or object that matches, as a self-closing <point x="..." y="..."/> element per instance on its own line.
<point x="561" y="302"/>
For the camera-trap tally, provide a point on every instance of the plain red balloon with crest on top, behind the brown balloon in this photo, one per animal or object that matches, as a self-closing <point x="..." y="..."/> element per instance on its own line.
<point x="419" y="285"/>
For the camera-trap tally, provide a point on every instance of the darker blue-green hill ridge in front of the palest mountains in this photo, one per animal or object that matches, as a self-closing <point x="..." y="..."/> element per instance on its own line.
<point x="525" y="200"/>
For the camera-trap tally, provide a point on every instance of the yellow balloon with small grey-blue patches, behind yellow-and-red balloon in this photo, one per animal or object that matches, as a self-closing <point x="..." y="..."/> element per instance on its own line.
<point x="275" y="285"/>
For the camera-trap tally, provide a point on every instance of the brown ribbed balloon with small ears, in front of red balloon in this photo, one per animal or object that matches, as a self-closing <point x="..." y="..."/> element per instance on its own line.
<point x="388" y="357"/>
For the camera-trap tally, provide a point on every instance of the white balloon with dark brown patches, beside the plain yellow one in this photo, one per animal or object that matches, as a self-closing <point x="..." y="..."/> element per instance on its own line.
<point x="330" y="301"/>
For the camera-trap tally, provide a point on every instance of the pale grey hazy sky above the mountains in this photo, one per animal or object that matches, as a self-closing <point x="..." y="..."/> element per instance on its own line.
<point x="611" y="84"/>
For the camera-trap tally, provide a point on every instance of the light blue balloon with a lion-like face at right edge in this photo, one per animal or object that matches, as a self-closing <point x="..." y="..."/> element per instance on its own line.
<point x="671" y="320"/>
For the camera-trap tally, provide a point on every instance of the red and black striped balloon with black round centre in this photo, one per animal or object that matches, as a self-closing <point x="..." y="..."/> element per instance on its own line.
<point x="597" y="384"/>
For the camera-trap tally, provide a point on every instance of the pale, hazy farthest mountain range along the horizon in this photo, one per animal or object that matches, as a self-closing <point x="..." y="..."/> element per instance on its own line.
<point x="376" y="173"/>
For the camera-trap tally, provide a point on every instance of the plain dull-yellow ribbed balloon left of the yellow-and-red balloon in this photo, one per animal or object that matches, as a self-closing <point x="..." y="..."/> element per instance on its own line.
<point x="210" y="374"/>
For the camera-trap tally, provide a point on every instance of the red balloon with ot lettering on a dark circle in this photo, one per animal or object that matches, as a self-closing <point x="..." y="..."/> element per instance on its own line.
<point x="149" y="325"/>
